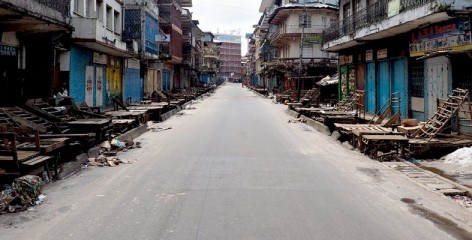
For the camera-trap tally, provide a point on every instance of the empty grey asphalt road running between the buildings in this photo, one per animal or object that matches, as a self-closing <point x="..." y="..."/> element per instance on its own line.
<point x="234" y="168"/>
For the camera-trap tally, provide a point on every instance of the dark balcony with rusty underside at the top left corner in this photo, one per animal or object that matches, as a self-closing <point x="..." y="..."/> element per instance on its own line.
<point x="35" y="15"/>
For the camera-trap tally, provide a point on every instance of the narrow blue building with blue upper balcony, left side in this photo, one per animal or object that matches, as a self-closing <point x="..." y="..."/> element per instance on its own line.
<point x="141" y="25"/>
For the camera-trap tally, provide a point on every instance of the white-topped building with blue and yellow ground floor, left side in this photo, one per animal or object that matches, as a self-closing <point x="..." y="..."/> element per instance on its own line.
<point x="97" y="56"/>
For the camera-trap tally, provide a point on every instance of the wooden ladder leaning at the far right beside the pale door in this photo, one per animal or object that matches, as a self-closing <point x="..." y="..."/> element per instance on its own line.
<point x="443" y="114"/>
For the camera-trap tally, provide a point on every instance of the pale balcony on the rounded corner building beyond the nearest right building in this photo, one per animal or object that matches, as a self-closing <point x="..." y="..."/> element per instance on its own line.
<point x="285" y="34"/>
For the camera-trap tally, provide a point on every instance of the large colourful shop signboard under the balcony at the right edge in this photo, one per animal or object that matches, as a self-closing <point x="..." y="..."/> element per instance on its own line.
<point x="445" y="36"/>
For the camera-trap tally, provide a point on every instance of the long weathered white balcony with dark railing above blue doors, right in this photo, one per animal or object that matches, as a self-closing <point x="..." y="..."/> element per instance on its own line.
<point x="378" y="21"/>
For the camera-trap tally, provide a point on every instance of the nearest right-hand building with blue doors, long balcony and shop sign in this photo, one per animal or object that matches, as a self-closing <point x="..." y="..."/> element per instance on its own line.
<point x="420" y="49"/>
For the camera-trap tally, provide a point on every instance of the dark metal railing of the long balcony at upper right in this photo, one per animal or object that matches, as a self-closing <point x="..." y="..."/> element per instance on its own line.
<point x="374" y="13"/>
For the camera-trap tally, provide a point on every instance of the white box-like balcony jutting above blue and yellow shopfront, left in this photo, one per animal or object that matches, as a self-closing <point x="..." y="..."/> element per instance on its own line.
<point x="91" y="33"/>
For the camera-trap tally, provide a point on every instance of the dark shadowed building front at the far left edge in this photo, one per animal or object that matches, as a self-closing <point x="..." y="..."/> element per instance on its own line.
<point x="34" y="34"/>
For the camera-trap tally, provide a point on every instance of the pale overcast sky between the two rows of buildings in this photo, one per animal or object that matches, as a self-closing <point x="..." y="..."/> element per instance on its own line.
<point x="227" y="15"/>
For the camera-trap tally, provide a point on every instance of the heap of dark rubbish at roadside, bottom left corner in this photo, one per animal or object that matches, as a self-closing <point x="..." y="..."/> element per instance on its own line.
<point x="22" y="194"/>
